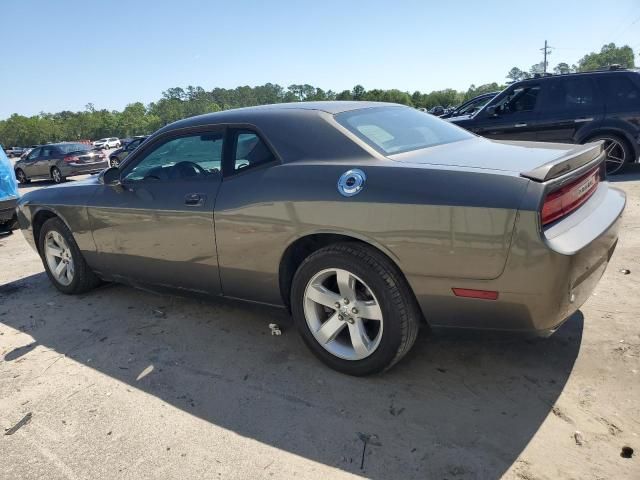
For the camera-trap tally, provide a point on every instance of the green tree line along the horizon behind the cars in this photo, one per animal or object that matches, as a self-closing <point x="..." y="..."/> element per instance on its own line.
<point x="176" y="103"/>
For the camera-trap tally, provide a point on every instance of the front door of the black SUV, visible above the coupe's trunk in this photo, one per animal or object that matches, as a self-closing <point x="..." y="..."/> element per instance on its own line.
<point x="512" y="115"/>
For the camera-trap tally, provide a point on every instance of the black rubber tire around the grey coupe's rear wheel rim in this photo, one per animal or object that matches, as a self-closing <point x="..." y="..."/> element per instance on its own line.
<point x="400" y="310"/>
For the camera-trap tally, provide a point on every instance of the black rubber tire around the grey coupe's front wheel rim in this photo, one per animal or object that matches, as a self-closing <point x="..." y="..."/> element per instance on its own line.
<point x="83" y="279"/>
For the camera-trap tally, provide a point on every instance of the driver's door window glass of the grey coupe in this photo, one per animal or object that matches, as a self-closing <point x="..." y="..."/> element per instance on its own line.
<point x="189" y="157"/>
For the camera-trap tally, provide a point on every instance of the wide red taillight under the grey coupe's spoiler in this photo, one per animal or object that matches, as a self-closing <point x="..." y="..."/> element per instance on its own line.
<point x="565" y="200"/>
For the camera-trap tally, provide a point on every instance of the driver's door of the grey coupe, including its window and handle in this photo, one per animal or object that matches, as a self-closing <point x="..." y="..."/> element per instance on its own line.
<point x="156" y="226"/>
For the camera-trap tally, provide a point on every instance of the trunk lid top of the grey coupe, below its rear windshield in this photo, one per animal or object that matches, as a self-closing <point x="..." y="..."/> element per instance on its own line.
<point x="505" y="156"/>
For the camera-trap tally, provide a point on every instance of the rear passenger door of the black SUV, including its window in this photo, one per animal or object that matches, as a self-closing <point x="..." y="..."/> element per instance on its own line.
<point x="569" y="105"/>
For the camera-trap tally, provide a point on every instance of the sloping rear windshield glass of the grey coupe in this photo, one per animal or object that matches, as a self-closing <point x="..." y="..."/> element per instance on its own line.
<point x="392" y="130"/>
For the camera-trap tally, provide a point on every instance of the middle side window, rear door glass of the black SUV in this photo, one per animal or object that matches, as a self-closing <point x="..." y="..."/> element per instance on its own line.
<point x="572" y="94"/>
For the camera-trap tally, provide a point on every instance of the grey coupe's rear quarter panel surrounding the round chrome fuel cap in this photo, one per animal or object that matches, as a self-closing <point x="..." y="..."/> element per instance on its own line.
<point x="431" y="221"/>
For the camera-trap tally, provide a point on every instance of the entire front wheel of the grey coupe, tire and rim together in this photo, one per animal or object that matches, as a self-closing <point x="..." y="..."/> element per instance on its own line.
<point x="63" y="262"/>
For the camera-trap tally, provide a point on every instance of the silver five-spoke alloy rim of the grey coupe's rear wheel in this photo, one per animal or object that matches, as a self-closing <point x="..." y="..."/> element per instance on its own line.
<point x="343" y="314"/>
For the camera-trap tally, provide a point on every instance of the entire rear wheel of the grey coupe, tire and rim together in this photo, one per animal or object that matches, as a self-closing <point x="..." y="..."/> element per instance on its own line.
<point x="353" y="309"/>
